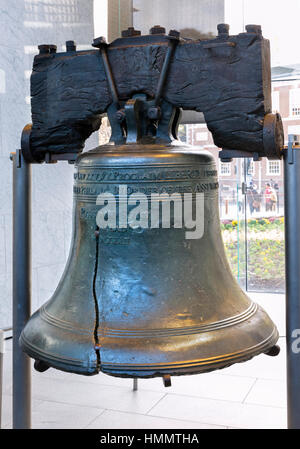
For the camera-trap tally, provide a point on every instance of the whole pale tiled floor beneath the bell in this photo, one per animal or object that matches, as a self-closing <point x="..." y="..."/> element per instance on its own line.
<point x="248" y="395"/>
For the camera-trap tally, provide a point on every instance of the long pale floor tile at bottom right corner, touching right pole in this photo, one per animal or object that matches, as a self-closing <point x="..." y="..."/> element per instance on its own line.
<point x="220" y="412"/>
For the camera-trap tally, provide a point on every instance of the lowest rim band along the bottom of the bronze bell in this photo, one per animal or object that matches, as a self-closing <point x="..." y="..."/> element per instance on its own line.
<point x="152" y="370"/>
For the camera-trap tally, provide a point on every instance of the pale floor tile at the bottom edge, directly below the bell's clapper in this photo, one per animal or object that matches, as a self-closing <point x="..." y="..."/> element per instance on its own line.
<point x="118" y="420"/>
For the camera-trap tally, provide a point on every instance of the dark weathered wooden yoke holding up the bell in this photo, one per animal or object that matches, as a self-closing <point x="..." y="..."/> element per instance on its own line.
<point x="227" y="78"/>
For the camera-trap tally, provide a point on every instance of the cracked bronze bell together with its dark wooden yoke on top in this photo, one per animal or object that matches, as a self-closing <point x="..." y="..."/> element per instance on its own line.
<point x="144" y="293"/>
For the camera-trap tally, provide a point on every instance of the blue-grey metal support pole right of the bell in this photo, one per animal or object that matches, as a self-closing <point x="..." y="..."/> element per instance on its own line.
<point x="292" y="248"/>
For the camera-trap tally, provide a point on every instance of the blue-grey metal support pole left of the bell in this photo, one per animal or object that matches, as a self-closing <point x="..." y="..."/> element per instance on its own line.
<point x="21" y="288"/>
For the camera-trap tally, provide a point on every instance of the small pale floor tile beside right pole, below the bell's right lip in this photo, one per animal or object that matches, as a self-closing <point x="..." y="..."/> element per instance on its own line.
<point x="268" y="392"/>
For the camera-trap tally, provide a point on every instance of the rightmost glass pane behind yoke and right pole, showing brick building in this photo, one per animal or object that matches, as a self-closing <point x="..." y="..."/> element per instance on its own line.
<point x="264" y="187"/>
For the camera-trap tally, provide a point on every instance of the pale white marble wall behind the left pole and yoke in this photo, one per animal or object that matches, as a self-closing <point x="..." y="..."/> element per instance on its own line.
<point x="25" y="24"/>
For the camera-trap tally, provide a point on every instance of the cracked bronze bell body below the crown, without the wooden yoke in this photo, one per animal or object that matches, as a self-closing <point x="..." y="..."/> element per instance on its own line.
<point x="144" y="302"/>
